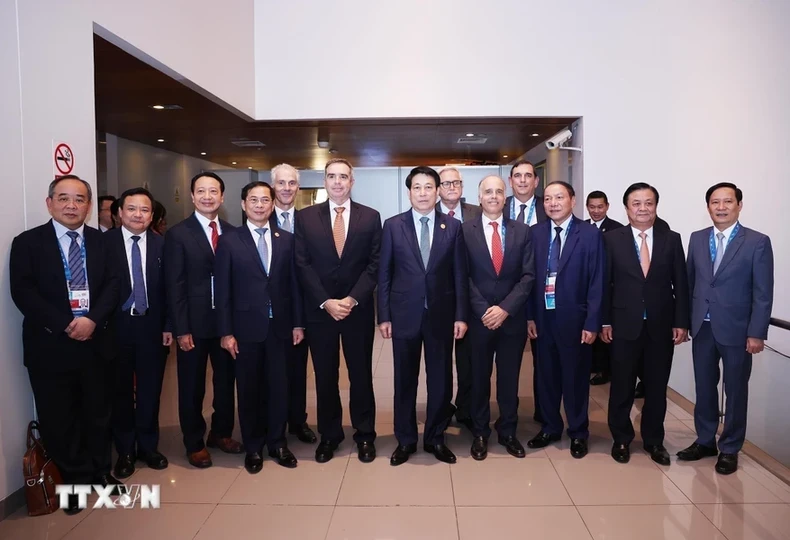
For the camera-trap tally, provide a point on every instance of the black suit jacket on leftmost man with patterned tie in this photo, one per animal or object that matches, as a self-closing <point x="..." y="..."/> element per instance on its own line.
<point x="39" y="290"/>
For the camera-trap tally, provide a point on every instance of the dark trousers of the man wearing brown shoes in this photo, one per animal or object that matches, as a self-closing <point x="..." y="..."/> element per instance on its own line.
<point x="192" y="390"/>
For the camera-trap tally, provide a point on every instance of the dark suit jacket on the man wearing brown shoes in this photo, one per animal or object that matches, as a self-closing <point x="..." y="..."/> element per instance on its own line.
<point x="189" y="267"/>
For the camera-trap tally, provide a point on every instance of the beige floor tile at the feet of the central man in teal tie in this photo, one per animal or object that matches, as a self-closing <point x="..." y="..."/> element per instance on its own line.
<point x="423" y="481"/>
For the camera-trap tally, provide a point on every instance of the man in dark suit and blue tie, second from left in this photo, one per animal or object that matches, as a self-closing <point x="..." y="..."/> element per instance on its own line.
<point x="140" y="322"/>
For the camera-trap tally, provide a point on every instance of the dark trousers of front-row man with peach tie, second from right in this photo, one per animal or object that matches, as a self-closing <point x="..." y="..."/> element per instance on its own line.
<point x="656" y="354"/>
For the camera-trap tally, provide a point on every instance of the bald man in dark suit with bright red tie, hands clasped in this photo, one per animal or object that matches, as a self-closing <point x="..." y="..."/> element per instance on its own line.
<point x="501" y="275"/>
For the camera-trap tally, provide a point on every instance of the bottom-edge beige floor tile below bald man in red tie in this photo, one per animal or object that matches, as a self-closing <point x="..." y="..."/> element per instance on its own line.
<point x="554" y="522"/>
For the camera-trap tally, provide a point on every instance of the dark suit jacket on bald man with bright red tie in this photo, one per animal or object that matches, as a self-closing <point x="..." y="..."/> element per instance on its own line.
<point x="508" y="290"/>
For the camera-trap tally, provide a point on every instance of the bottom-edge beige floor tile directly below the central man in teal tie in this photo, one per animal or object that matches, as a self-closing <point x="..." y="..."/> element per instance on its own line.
<point x="393" y="523"/>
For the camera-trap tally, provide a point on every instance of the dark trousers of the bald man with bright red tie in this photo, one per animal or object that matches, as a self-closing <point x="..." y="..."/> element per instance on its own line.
<point x="508" y="350"/>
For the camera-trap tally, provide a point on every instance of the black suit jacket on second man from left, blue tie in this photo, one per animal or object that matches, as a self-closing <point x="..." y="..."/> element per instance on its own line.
<point x="154" y="322"/>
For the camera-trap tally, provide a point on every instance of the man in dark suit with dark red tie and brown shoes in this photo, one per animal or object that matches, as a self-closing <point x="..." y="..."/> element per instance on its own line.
<point x="189" y="277"/>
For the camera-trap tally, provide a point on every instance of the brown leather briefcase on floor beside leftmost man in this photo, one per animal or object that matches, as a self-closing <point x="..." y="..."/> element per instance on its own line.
<point x="41" y="476"/>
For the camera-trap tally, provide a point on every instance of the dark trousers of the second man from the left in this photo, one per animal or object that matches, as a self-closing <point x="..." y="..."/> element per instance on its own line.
<point x="135" y="413"/>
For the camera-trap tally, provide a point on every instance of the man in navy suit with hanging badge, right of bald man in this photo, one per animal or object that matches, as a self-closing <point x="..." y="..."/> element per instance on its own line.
<point x="565" y="316"/>
